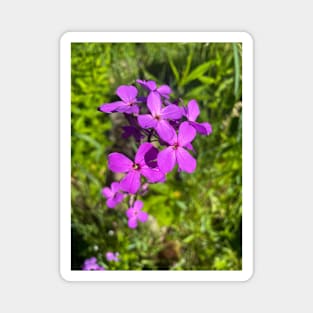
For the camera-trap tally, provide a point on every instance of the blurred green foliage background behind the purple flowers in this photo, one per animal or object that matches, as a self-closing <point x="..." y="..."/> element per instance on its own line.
<point x="195" y="219"/>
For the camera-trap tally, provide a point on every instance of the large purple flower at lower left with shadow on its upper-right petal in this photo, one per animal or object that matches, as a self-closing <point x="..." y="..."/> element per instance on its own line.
<point x="119" y="163"/>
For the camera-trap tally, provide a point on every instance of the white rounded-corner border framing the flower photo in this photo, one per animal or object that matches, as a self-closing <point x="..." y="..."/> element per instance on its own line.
<point x="247" y="156"/>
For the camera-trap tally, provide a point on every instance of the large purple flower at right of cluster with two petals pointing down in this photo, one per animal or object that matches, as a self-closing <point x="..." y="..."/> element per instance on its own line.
<point x="176" y="153"/>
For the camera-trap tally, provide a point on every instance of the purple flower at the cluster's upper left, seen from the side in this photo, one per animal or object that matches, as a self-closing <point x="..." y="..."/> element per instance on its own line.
<point x="128" y="104"/>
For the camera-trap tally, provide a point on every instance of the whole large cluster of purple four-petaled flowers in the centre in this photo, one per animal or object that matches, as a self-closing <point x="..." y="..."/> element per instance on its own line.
<point x="164" y="132"/>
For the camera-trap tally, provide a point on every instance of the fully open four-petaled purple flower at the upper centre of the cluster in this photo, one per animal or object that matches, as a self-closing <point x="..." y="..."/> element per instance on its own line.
<point x="158" y="117"/>
